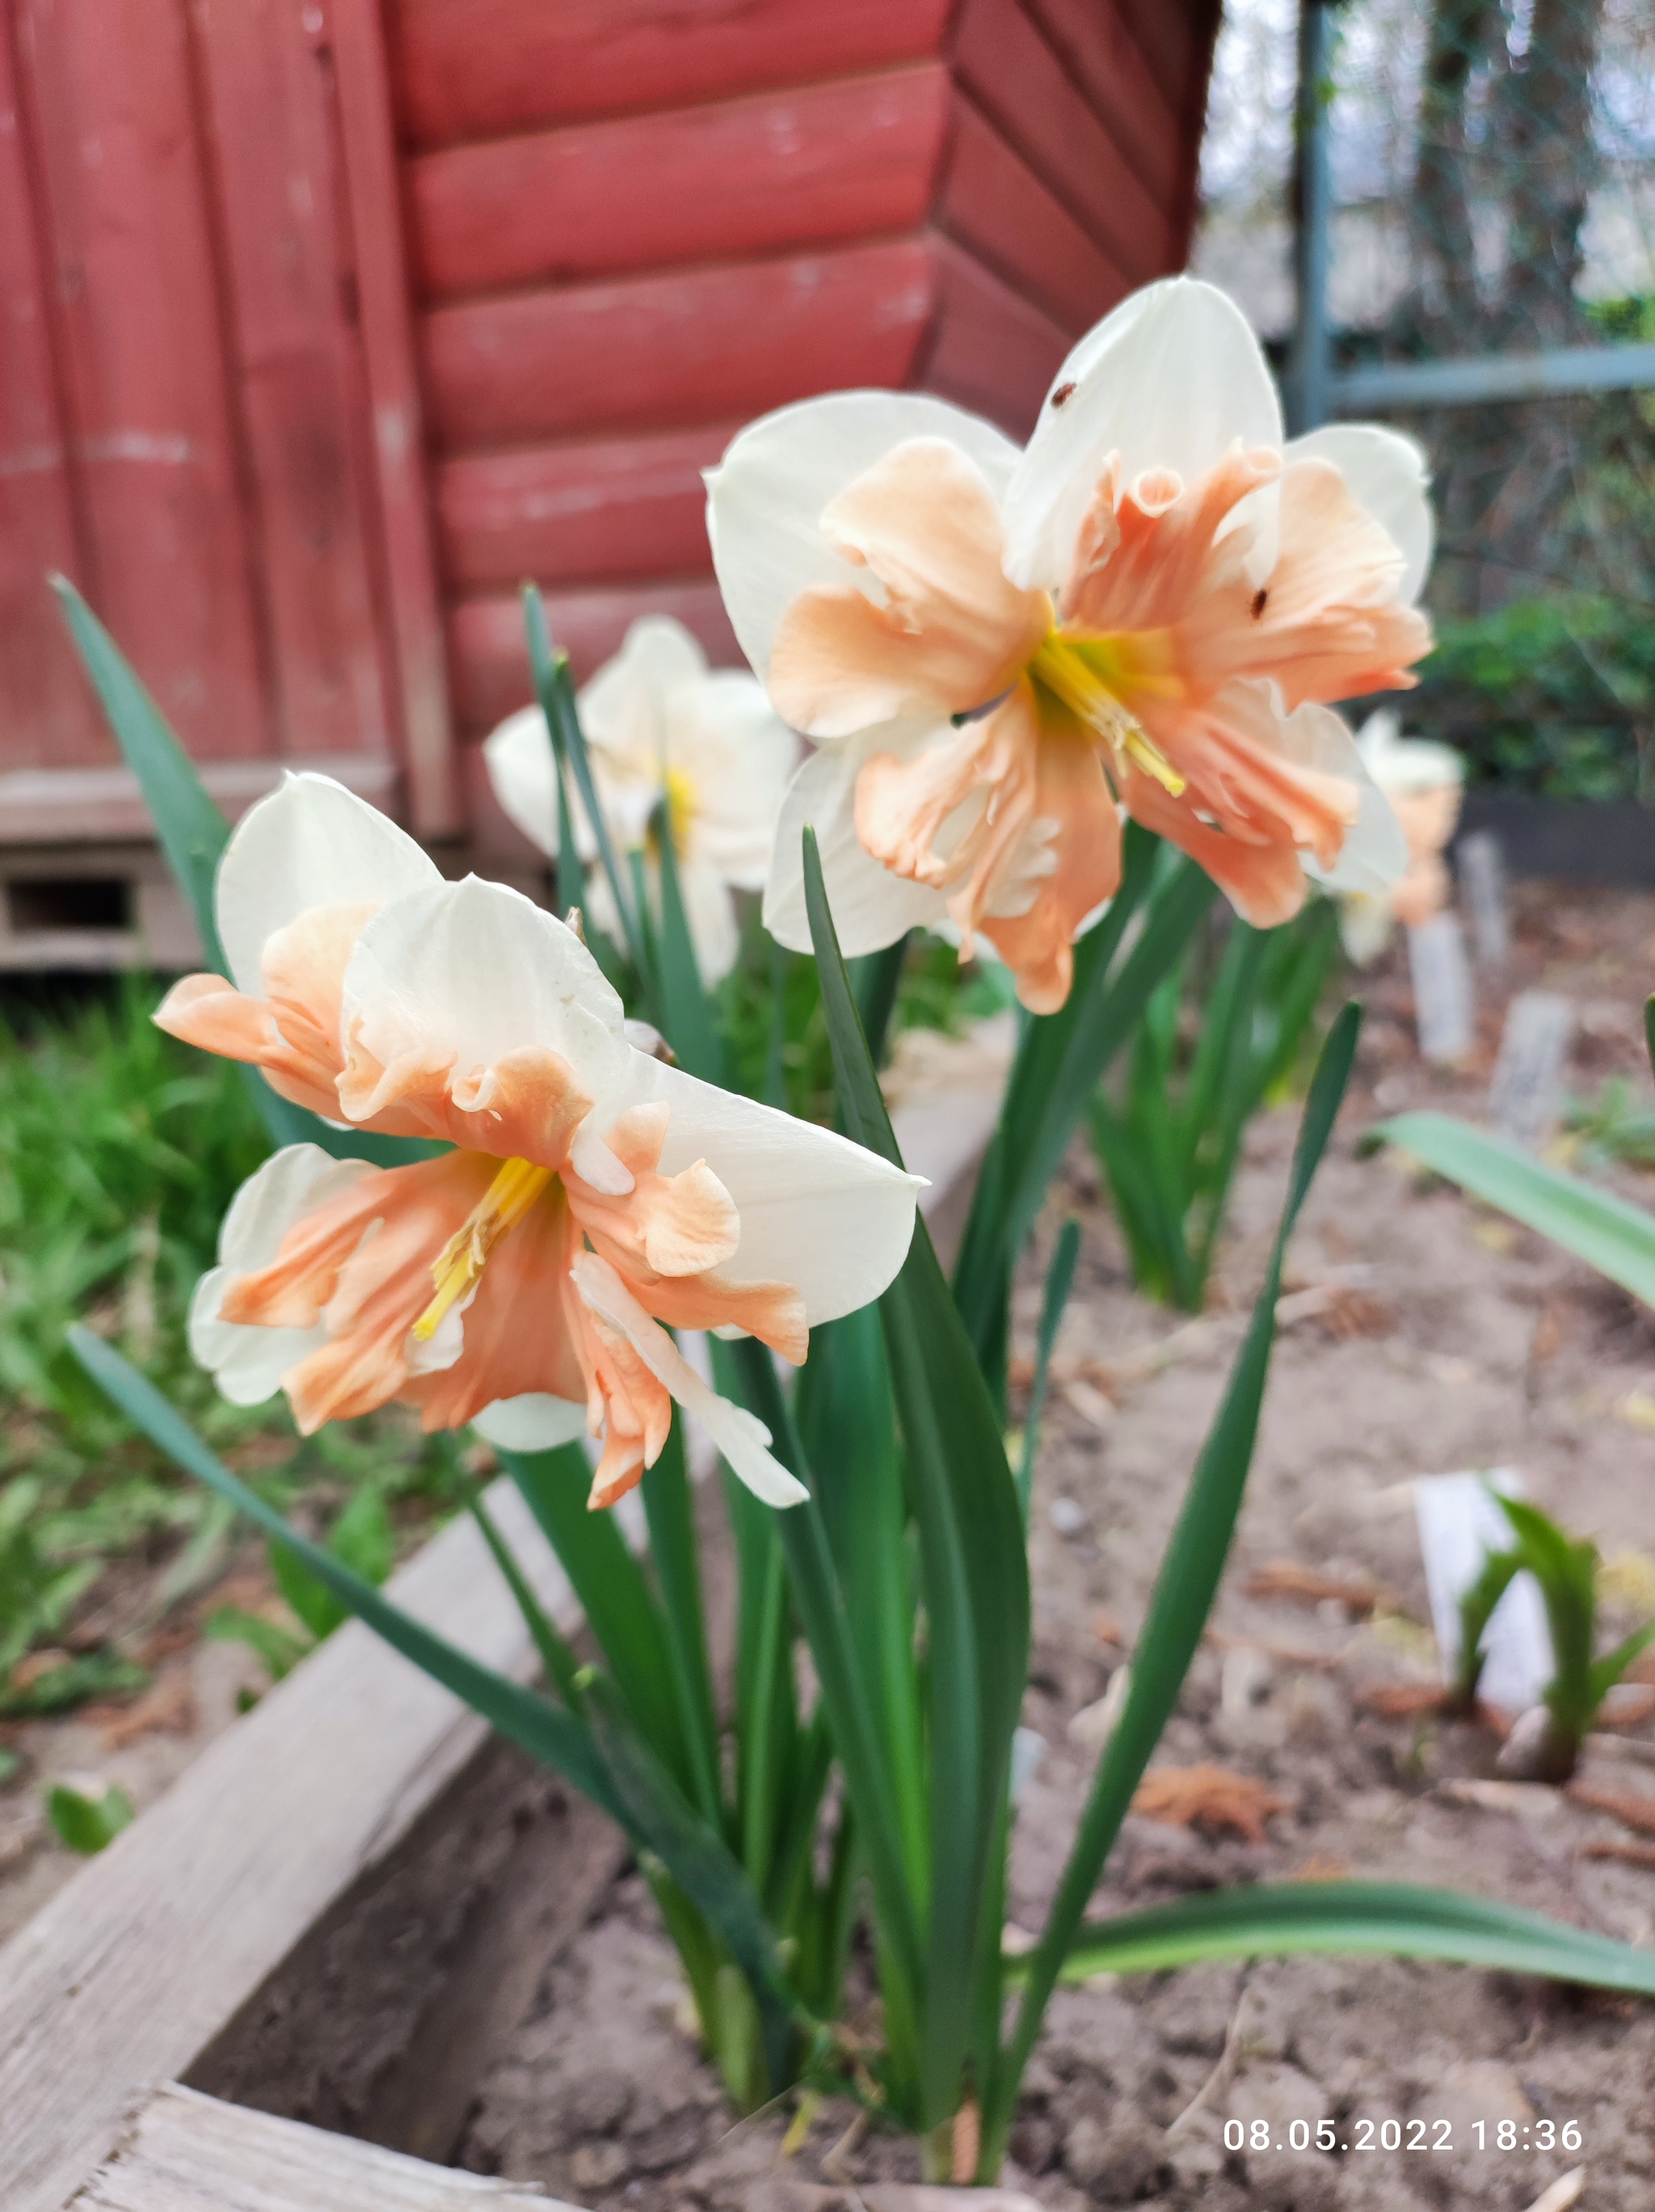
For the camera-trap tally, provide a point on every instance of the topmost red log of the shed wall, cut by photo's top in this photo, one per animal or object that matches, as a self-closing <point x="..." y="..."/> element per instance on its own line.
<point x="486" y="67"/>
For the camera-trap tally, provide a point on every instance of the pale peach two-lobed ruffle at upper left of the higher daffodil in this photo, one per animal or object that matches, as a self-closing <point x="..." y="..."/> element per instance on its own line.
<point x="953" y="632"/>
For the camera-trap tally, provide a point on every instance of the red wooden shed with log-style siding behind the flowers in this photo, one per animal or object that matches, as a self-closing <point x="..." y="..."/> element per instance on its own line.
<point x="329" y="322"/>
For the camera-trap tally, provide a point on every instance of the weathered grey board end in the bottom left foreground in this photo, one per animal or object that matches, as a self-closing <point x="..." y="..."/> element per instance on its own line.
<point x="189" y="2153"/>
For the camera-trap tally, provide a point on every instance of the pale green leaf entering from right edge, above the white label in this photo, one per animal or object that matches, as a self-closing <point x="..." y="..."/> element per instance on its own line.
<point x="1594" y="1224"/>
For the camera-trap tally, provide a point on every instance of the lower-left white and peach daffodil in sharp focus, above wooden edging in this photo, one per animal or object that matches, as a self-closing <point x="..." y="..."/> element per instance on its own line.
<point x="523" y="1280"/>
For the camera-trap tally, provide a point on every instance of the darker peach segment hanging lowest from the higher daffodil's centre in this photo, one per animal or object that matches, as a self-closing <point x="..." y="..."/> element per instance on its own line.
<point x="1074" y="793"/>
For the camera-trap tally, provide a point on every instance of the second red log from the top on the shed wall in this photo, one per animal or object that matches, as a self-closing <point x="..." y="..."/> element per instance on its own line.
<point x="760" y="176"/>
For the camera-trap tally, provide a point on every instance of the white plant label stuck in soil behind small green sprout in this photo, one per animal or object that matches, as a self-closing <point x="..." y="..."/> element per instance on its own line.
<point x="1459" y="1527"/>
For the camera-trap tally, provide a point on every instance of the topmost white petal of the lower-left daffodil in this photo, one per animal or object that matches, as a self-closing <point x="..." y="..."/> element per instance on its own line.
<point x="309" y="844"/>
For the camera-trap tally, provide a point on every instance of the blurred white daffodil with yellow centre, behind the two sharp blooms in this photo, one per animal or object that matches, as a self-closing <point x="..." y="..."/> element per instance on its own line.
<point x="663" y="727"/>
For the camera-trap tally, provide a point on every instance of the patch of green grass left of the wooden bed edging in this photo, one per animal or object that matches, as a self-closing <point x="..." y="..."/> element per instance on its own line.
<point x="121" y="1151"/>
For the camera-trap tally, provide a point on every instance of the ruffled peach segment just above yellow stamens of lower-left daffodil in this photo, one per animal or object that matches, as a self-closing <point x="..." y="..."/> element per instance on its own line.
<point x="523" y="1107"/>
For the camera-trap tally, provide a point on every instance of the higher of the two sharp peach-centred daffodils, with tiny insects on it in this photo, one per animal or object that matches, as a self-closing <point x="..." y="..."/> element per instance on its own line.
<point x="995" y="651"/>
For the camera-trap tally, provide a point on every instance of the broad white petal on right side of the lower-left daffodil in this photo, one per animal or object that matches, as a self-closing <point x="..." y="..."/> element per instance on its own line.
<point x="815" y="1211"/>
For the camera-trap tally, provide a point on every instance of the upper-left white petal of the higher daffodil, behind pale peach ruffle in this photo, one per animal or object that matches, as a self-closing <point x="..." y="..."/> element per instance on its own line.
<point x="769" y="494"/>
